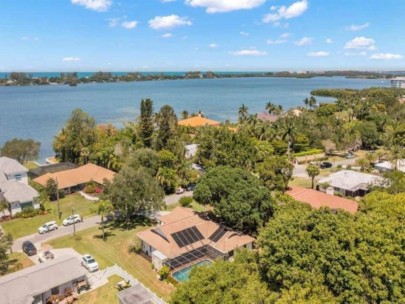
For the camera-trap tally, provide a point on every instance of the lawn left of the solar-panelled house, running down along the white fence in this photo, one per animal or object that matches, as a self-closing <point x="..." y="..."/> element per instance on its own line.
<point x="115" y="250"/>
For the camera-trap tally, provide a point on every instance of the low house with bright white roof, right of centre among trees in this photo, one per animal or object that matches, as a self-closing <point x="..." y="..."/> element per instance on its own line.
<point x="349" y="183"/>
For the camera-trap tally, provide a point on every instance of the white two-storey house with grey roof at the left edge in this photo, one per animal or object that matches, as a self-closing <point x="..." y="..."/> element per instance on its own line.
<point x="14" y="187"/>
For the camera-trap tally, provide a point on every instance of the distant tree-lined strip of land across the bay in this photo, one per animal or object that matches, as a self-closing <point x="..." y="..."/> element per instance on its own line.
<point x="74" y="79"/>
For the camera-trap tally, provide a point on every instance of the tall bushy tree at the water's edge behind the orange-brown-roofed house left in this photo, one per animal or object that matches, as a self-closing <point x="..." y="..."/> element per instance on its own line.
<point x="74" y="142"/>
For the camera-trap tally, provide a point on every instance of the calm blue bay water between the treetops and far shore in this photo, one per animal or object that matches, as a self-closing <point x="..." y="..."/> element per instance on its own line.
<point x="39" y="112"/>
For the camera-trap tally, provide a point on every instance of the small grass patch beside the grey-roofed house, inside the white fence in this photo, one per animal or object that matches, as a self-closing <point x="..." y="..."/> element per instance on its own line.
<point x="106" y="294"/>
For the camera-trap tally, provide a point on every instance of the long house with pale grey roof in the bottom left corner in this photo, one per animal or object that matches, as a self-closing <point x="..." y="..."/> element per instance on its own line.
<point x="36" y="284"/>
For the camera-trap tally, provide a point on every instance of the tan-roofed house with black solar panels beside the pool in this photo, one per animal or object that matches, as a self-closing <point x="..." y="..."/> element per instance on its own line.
<point x="185" y="237"/>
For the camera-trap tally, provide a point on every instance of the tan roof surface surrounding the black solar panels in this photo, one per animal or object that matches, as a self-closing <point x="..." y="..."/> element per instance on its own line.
<point x="179" y="219"/>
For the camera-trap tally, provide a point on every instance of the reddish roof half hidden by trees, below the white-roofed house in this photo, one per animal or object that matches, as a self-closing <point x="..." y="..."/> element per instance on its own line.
<point x="317" y="199"/>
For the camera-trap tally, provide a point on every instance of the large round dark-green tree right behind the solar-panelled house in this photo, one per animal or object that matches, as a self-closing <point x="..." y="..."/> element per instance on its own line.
<point x="237" y="197"/>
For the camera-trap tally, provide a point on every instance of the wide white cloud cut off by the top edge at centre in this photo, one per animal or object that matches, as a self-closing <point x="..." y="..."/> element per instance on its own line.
<point x="221" y="6"/>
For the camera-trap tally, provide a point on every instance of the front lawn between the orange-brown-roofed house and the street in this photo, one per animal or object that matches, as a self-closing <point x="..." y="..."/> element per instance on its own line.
<point x="20" y="227"/>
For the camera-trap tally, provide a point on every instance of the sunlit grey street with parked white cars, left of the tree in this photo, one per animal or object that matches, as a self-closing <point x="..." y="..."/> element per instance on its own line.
<point x="37" y="238"/>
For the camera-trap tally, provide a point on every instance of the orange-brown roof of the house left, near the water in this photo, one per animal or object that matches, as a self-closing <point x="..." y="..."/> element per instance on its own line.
<point x="78" y="176"/>
